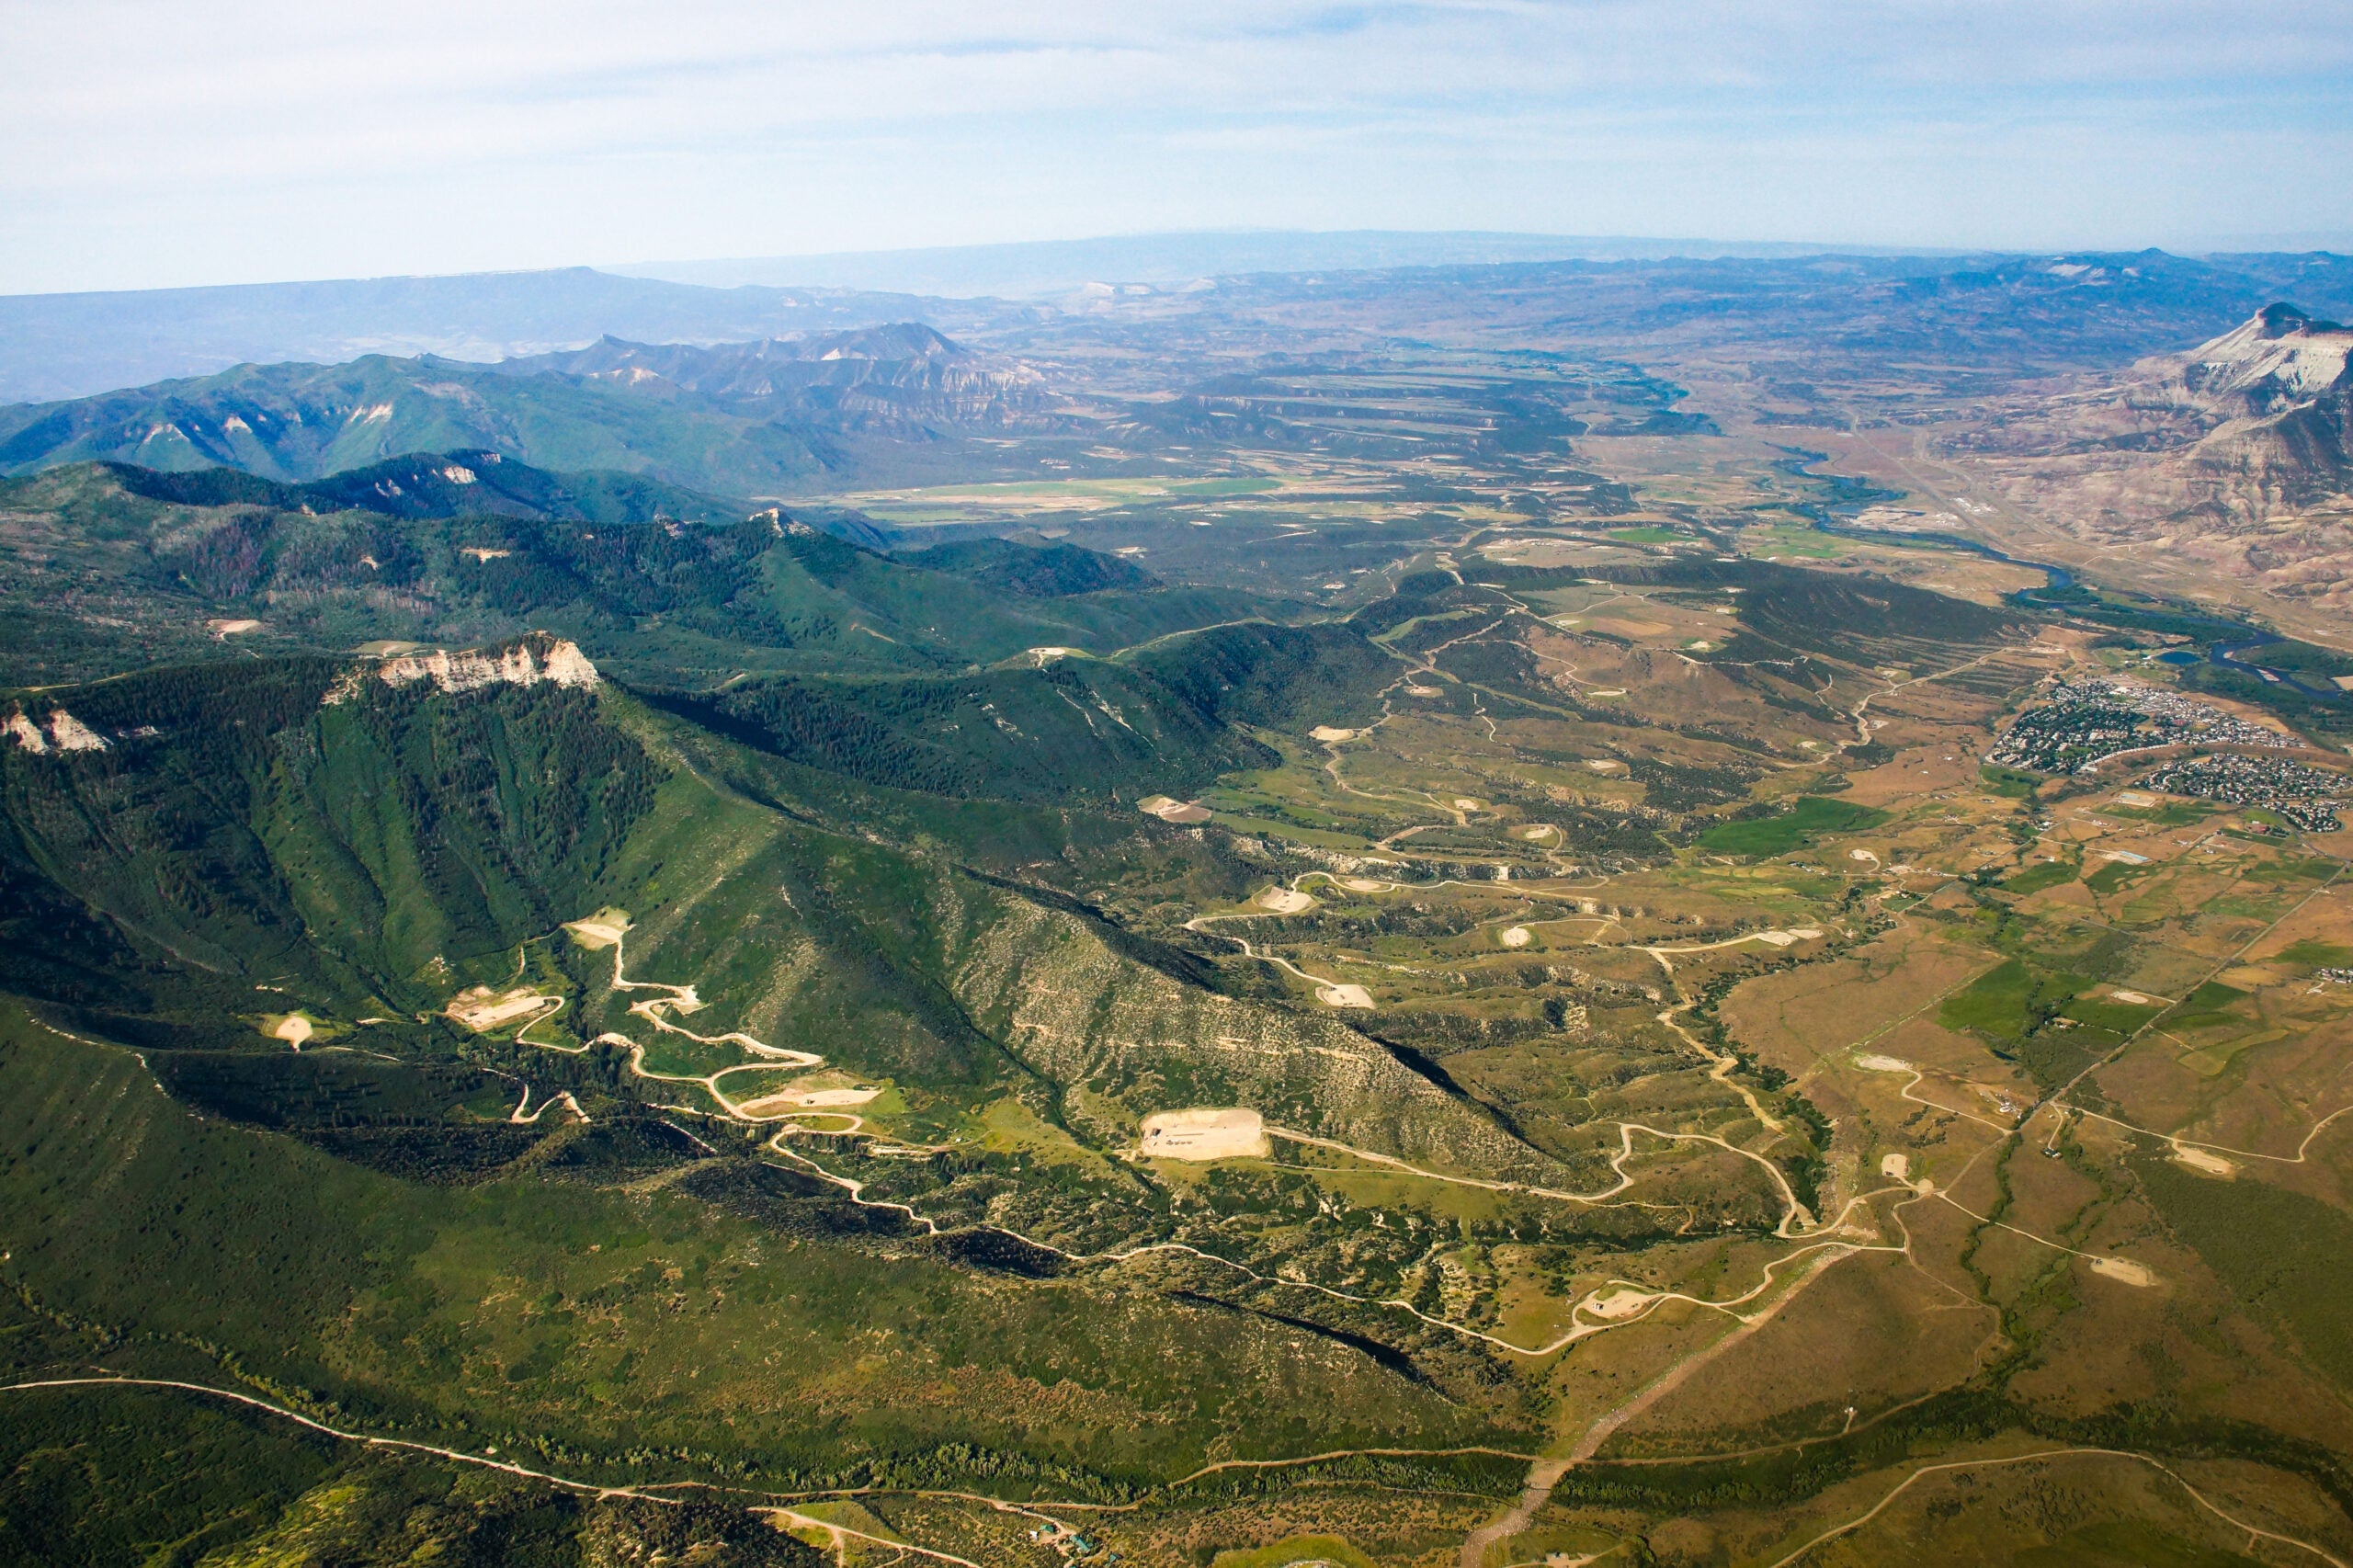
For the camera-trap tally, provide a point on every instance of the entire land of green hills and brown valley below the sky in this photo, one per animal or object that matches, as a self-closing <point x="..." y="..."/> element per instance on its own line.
<point x="1474" y="917"/>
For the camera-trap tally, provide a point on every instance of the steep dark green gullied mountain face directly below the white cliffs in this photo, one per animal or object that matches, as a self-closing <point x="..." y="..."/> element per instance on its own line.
<point x="345" y="851"/>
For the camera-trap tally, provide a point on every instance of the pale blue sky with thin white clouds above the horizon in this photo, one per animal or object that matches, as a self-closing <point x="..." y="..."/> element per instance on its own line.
<point x="156" y="145"/>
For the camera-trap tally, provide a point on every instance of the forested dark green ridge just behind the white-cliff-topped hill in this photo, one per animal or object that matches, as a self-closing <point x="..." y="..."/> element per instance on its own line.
<point x="161" y="564"/>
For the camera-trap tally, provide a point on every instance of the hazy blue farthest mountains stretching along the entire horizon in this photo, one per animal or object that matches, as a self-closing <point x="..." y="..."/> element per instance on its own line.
<point x="79" y="345"/>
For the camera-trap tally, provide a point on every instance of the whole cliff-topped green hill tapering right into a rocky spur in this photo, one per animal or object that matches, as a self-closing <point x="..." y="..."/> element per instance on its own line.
<point x="305" y="837"/>
